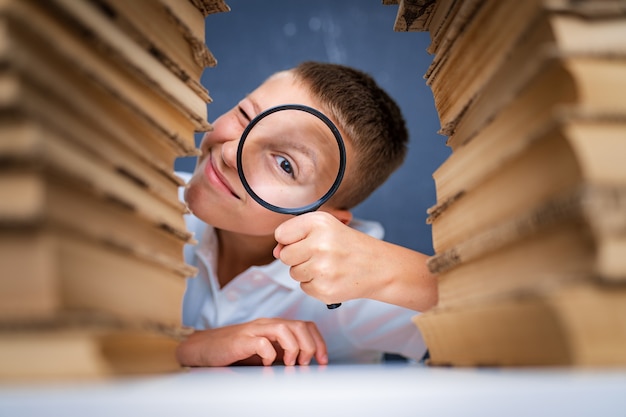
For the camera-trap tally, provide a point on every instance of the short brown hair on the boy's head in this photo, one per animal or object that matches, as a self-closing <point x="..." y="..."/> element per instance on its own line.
<point x="368" y="116"/>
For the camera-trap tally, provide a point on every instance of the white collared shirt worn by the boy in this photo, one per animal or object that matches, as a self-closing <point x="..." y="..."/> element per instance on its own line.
<point x="359" y="331"/>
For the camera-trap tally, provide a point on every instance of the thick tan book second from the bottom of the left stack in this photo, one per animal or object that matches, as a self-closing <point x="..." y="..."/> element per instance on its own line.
<point x="49" y="270"/>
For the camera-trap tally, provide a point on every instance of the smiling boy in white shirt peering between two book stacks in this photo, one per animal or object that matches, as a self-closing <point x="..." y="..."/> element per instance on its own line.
<point x="250" y="309"/>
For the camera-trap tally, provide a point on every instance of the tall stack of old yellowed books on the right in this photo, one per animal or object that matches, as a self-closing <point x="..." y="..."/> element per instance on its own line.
<point x="529" y="228"/>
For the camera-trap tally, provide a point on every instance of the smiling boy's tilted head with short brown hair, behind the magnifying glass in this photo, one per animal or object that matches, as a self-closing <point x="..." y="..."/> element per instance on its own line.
<point x="369" y="120"/>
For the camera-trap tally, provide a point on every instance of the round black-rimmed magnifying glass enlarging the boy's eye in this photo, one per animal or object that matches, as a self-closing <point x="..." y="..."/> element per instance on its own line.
<point x="291" y="159"/>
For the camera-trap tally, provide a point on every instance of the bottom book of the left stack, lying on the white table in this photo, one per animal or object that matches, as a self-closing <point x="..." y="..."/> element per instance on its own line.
<point x="89" y="346"/>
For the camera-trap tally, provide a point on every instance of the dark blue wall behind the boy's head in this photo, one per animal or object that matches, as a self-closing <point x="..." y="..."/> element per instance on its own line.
<point x="257" y="38"/>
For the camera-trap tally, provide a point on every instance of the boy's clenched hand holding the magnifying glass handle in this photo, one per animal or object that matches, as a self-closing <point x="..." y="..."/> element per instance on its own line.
<point x="332" y="261"/>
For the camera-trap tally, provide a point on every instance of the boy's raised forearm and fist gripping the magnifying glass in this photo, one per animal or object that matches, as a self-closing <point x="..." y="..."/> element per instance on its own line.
<point x="335" y="263"/>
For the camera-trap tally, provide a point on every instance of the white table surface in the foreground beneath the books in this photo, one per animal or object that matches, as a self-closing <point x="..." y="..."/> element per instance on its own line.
<point x="334" y="390"/>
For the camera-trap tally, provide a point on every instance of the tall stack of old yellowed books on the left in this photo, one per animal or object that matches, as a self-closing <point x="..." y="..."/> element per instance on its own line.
<point x="97" y="100"/>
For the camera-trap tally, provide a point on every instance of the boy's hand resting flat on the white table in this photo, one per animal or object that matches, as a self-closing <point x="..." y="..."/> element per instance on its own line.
<point x="259" y="342"/>
